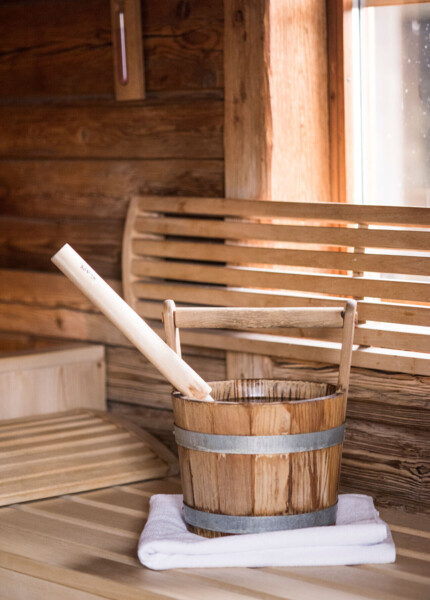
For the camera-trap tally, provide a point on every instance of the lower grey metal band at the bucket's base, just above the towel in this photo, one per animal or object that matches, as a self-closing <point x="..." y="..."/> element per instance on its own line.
<point x="238" y="524"/>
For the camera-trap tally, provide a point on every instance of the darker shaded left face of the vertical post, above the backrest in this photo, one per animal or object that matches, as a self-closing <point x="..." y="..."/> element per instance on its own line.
<point x="247" y="133"/>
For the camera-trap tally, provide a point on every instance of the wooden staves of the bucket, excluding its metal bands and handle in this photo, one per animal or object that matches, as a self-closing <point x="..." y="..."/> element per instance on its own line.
<point x="236" y="484"/>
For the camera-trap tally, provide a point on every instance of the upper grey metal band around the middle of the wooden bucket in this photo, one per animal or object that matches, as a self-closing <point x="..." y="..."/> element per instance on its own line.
<point x="259" y="444"/>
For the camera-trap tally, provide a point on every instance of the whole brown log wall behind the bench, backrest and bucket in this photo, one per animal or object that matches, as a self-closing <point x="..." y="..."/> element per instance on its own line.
<point x="71" y="158"/>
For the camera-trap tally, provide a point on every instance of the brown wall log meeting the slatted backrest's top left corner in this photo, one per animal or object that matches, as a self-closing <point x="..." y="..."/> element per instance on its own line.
<point x="99" y="188"/>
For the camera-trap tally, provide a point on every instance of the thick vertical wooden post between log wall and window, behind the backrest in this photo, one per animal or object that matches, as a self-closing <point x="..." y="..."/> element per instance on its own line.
<point x="276" y="113"/>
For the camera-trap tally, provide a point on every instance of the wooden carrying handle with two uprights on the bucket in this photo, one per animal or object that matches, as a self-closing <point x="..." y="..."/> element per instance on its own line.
<point x="175" y="318"/>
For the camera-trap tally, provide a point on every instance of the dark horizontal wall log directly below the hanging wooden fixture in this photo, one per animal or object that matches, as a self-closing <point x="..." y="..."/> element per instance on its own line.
<point x="186" y="130"/>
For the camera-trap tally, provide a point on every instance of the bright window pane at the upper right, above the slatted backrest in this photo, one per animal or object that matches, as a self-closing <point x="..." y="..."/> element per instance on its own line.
<point x="394" y="98"/>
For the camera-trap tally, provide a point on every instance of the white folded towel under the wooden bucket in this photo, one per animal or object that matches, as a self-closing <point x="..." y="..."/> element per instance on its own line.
<point x="359" y="537"/>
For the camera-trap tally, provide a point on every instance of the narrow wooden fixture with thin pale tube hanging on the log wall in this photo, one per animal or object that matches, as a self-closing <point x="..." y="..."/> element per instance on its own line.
<point x="127" y="49"/>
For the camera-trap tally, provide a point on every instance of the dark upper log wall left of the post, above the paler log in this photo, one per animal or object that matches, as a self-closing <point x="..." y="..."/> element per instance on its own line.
<point x="71" y="157"/>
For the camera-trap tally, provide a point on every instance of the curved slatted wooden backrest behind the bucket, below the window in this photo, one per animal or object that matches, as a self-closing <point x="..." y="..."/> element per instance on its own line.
<point x="221" y="252"/>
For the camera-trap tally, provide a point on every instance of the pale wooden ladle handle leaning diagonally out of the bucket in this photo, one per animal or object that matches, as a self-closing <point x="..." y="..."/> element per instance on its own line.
<point x="174" y="368"/>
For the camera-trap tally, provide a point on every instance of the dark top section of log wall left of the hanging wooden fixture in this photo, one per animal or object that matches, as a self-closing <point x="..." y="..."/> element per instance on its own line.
<point x="58" y="49"/>
